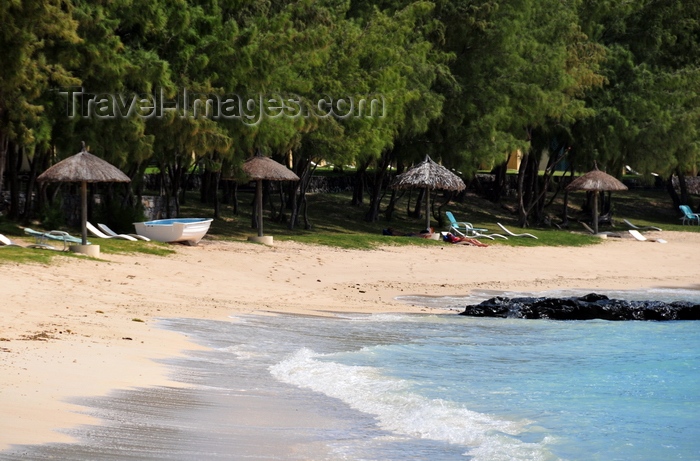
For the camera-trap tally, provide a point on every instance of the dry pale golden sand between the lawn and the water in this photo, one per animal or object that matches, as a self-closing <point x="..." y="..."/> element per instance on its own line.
<point x="85" y="327"/>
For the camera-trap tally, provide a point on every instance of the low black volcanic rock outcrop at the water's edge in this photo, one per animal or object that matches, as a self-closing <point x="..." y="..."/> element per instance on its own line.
<point x="591" y="306"/>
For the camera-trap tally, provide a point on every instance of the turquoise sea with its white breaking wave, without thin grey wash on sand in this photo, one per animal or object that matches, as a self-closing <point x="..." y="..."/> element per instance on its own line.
<point x="452" y="387"/>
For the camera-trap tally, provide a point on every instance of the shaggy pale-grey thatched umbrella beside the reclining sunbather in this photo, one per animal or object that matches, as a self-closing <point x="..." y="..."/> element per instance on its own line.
<point x="429" y="175"/>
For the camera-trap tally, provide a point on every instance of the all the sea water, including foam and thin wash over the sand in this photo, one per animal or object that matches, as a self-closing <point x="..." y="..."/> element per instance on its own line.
<point x="416" y="387"/>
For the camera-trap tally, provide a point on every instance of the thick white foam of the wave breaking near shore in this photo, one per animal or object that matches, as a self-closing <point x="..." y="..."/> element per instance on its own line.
<point x="404" y="412"/>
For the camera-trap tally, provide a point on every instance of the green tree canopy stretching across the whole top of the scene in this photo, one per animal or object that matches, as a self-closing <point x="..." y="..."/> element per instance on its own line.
<point x="209" y="83"/>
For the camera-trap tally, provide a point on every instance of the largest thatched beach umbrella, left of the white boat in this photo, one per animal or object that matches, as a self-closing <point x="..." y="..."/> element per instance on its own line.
<point x="83" y="167"/>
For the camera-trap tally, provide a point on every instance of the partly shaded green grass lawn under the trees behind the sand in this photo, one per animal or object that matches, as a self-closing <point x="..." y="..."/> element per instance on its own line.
<point x="334" y="222"/>
